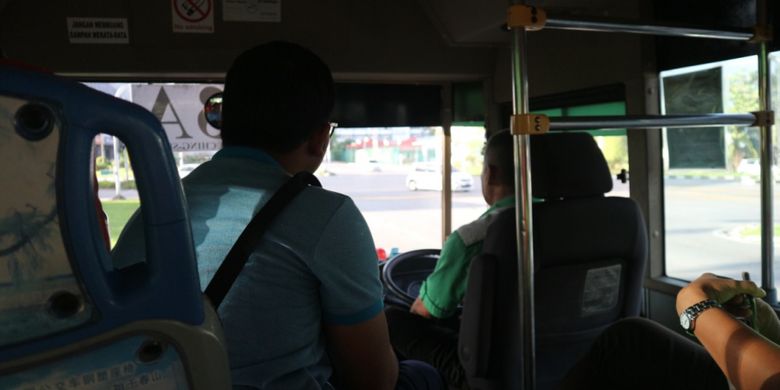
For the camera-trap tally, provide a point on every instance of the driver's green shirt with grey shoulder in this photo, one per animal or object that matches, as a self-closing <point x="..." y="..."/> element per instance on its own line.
<point x="444" y="289"/>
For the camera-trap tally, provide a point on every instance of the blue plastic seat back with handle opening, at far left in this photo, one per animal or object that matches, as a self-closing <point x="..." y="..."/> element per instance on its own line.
<point x="68" y="317"/>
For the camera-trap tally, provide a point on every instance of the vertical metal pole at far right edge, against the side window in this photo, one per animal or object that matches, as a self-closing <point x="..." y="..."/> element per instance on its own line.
<point x="767" y="164"/>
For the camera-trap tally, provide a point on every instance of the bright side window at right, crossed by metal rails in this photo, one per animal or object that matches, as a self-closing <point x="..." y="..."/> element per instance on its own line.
<point x="711" y="175"/>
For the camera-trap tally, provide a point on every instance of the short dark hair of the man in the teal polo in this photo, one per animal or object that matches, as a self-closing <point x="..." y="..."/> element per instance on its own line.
<point x="276" y="94"/>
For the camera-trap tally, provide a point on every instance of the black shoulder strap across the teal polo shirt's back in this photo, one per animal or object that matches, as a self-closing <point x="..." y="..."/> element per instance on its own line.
<point x="234" y="261"/>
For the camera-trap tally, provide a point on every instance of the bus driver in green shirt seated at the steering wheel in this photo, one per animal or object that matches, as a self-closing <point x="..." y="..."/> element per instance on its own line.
<point x="421" y="335"/>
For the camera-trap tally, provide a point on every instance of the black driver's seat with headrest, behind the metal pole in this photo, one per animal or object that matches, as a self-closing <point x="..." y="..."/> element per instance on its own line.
<point x="589" y="257"/>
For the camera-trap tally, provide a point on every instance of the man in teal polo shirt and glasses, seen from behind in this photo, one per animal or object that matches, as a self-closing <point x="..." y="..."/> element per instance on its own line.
<point x="306" y="310"/>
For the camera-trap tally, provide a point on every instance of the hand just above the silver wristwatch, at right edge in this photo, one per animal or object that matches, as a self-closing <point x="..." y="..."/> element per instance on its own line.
<point x="723" y="290"/>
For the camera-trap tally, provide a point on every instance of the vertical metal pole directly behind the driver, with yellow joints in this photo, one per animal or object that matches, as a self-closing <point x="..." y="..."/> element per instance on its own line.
<point x="523" y="210"/>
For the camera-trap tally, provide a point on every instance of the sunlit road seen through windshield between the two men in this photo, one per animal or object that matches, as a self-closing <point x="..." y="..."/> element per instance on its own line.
<point x="394" y="177"/>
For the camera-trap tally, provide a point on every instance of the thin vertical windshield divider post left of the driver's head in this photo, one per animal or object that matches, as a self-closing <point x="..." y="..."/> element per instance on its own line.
<point x="446" y="180"/>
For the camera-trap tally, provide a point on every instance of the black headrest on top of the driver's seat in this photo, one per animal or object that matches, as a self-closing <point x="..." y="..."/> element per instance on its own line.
<point x="568" y="165"/>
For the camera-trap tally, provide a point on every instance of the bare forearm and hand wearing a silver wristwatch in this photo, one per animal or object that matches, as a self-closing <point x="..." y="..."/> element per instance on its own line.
<point x="708" y="308"/>
